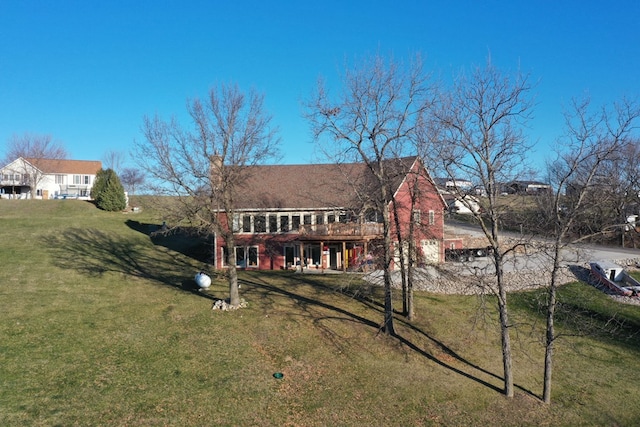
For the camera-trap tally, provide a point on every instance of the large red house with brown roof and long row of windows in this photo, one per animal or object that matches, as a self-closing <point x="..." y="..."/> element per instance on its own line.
<point x="321" y="216"/>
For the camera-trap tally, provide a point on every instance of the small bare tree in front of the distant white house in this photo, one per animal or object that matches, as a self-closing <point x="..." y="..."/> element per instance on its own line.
<point x="35" y="149"/>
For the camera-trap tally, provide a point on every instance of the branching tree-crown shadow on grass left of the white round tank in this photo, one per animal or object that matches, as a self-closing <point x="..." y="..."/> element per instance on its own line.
<point x="94" y="253"/>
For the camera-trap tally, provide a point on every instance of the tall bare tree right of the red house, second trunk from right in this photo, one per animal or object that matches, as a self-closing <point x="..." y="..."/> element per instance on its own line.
<point x="476" y="136"/>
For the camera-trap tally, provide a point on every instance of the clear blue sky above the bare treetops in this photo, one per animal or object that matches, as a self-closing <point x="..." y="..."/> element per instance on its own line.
<point x="86" y="72"/>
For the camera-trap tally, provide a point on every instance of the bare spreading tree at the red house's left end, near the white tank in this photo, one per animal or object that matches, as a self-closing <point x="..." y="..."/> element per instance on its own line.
<point x="203" y="168"/>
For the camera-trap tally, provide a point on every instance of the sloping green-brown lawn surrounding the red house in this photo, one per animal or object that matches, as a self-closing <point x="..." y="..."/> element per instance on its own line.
<point x="100" y="325"/>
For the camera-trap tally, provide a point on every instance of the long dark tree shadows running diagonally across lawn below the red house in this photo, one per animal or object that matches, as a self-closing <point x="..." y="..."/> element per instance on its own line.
<point x="266" y="291"/>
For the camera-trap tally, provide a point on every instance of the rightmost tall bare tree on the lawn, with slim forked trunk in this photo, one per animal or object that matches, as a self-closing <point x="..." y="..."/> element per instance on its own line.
<point x="592" y="143"/>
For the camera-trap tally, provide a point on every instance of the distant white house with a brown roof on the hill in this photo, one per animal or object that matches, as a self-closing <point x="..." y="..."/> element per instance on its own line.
<point x="51" y="178"/>
